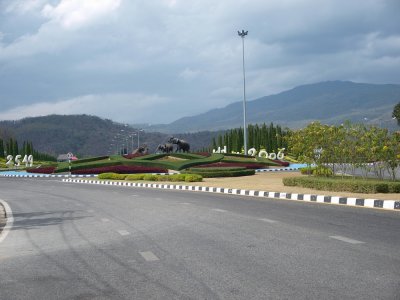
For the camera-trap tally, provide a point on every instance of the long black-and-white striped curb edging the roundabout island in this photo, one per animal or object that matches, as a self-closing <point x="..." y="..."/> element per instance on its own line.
<point x="355" y="202"/>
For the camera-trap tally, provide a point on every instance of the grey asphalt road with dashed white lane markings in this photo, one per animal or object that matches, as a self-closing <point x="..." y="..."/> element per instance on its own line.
<point x="75" y="241"/>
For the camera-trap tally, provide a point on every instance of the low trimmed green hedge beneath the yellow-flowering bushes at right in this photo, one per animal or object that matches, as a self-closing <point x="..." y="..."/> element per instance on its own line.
<point x="344" y="184"/>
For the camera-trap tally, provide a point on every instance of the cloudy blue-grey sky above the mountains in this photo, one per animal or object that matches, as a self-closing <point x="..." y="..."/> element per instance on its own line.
<point x="155" y="61"/>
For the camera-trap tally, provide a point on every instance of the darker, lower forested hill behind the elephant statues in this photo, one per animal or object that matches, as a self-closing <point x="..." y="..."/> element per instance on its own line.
<point x="87" y="135"/>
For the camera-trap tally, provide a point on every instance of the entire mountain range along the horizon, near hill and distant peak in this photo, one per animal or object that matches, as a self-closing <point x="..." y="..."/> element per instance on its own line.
<point x="329" y="102"/>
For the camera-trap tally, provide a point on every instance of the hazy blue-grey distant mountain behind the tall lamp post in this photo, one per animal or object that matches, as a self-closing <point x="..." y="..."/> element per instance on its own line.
<point x="329" y="102"/>
